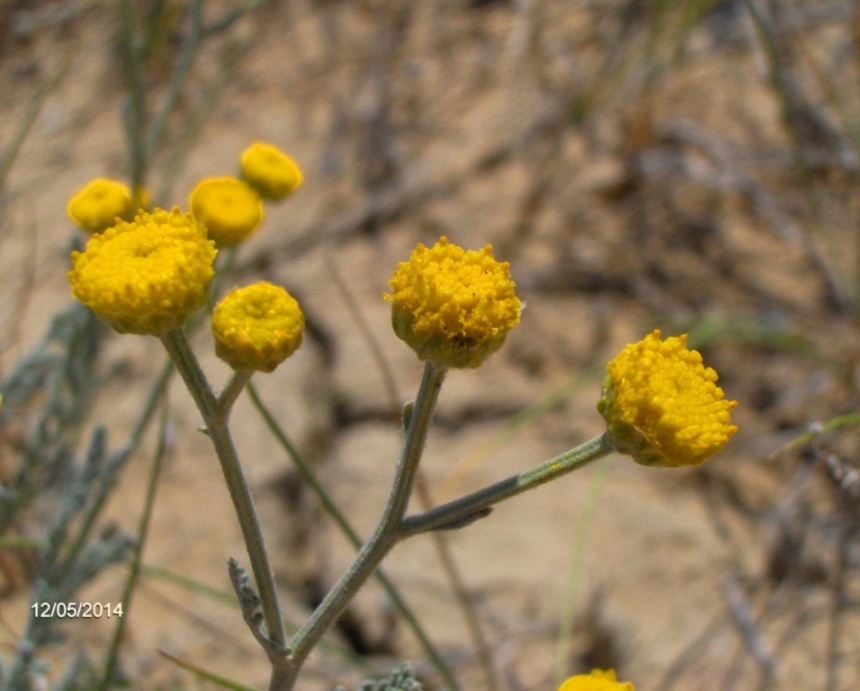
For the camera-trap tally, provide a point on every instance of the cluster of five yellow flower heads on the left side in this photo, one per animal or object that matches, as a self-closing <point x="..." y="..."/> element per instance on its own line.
<point x="146" y="273"/>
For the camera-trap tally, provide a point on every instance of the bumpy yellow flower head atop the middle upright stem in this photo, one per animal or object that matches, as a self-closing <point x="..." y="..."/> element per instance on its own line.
<point x="453" y="307"/>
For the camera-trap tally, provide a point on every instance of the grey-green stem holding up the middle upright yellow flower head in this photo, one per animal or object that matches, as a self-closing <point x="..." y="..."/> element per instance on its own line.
<point x="386" y="533"/>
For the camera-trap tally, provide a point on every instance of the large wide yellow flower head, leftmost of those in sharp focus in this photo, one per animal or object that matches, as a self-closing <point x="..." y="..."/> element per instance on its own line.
<point x="148" y="275"/>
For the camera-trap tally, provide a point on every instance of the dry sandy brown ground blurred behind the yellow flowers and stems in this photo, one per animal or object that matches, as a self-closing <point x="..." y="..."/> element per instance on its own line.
<point x="640" y="165"/>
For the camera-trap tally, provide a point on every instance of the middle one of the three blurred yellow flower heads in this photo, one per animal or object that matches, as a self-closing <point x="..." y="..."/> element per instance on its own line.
<point x="230" y="209"/>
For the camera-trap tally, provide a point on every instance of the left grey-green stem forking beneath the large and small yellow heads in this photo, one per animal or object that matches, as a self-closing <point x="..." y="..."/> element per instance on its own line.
<point x="215" y="418"/>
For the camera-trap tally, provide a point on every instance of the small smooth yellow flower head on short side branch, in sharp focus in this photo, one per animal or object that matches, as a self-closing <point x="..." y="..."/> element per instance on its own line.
<point x="257" y="327"/>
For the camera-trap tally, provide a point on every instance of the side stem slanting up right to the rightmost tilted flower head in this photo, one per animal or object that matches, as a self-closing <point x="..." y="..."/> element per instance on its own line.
<point x="478" y="504"/>
